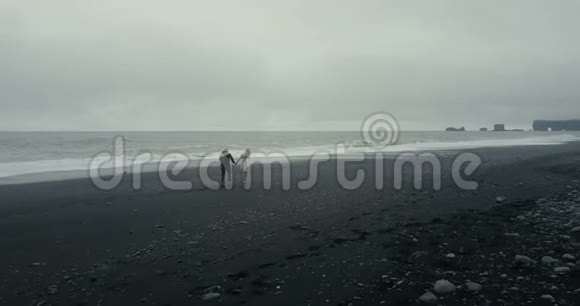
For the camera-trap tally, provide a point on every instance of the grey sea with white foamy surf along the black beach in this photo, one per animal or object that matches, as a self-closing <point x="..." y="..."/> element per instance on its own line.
<point x="25" y="153"/>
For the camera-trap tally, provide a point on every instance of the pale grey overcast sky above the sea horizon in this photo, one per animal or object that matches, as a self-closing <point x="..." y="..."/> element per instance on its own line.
<point x="256" y="65"/>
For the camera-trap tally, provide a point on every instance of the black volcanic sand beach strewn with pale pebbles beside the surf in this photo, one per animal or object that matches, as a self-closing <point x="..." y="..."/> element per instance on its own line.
<point x="66" y="243"/>
